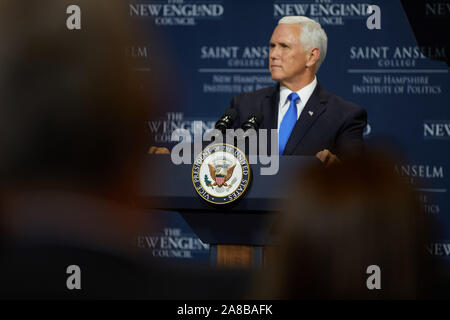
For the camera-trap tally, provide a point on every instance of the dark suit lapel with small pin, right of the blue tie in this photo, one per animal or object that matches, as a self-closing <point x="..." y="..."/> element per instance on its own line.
<point x="310" y="113"/>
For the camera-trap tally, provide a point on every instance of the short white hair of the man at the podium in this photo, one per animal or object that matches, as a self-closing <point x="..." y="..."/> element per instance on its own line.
<point x="311" y="36"/>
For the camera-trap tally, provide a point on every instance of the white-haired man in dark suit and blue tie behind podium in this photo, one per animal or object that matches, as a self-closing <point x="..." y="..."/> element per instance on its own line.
<point x="309" y="120"/>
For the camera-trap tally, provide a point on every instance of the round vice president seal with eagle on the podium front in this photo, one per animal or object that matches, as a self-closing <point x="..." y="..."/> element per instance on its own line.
<point x="221" y="173"/>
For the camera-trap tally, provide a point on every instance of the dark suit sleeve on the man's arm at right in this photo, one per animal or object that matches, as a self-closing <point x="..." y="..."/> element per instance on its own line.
<point x="350" y="141"/>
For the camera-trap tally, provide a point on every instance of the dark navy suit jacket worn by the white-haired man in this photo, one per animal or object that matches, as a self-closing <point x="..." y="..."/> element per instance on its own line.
<point x="326" y="122"/>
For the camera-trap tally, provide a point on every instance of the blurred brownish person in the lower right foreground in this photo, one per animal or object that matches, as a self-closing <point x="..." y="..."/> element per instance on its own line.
<point x="340" y="221"/>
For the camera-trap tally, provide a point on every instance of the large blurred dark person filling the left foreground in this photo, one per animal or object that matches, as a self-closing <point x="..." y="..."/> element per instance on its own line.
<point x="72" y="139"/>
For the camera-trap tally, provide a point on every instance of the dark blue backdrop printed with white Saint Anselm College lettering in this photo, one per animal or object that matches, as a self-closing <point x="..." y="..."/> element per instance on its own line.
<point x="216" y="49"/>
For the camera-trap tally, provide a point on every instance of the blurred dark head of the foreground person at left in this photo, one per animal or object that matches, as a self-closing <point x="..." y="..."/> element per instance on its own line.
<point x="72" y="113"/>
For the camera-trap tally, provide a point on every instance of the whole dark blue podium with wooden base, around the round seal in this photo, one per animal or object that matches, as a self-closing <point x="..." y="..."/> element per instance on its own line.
<point x="239" y="234"/>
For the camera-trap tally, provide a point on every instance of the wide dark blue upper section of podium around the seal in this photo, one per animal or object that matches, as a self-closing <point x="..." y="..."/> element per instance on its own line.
<point x="167" y="186"/>
